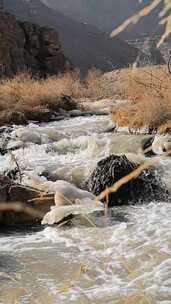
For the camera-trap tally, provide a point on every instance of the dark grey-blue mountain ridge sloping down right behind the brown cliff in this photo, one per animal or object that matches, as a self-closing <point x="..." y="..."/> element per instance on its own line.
<point x="84" y="45"/>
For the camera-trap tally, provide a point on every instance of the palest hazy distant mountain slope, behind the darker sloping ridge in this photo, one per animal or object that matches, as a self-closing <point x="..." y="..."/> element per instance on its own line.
<point x="108" y="14"/>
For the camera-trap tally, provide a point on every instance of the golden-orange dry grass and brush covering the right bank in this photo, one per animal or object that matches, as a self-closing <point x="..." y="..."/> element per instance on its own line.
<point x="149" y="90"/>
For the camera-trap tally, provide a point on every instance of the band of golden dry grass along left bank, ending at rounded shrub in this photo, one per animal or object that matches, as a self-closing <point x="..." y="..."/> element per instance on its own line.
<point x="25" y="91"/>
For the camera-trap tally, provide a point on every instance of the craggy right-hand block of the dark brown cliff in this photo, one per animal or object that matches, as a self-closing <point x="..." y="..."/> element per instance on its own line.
<point x="42" y="50"/>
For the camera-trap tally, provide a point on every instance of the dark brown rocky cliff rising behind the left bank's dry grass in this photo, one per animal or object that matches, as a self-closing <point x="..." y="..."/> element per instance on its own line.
<point x="26" y="46"/>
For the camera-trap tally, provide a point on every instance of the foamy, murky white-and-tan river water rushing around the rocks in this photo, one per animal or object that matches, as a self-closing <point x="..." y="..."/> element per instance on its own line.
<point x="126" y="258"/>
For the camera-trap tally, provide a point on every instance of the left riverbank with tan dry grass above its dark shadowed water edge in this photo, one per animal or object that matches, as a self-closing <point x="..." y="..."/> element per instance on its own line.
<point x="24" y="98"/>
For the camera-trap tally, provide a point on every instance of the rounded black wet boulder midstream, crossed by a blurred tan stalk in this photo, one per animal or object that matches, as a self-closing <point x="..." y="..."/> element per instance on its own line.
<point x="146" y="187"/>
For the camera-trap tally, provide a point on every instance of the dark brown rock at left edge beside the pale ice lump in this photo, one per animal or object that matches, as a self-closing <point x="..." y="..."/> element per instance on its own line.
<point x="22" y="205"/>
